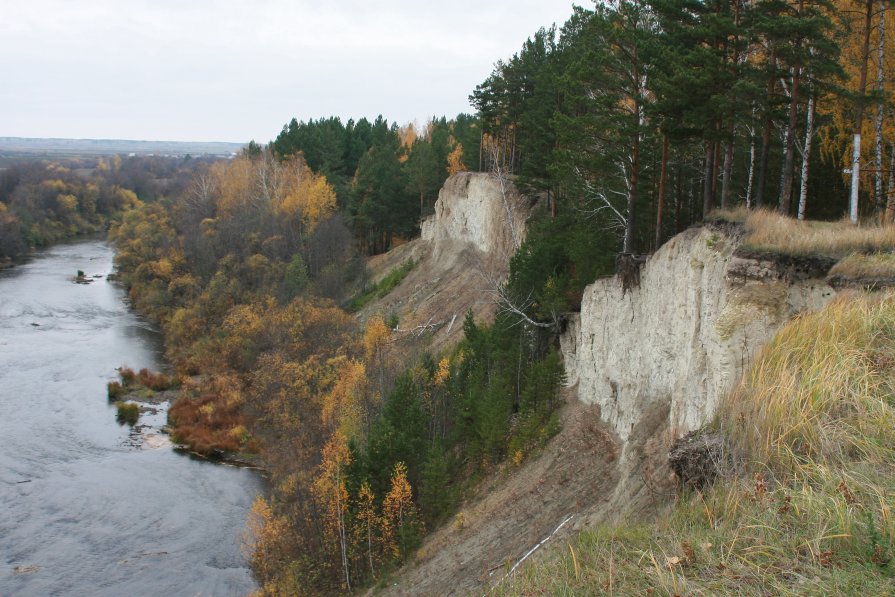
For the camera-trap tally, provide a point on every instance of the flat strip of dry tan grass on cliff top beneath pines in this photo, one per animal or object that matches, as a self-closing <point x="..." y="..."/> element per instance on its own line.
<point x="769" y="232"/>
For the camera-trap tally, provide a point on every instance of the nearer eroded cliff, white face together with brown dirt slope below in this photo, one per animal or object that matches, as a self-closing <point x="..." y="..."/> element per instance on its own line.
<point x="646" y="367"/>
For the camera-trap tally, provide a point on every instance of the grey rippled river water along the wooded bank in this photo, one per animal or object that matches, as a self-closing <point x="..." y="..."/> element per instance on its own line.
<point x="87" y="506"/>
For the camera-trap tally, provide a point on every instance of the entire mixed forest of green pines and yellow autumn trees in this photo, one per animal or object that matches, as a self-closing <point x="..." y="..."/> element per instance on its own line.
<point x="628" y="123"/>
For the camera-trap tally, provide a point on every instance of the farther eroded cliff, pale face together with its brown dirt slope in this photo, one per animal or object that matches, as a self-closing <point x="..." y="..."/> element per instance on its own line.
<point x="464" y="250"/>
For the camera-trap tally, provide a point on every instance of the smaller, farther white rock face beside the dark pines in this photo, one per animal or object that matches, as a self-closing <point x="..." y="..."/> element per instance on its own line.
<point x="477" y="208"/>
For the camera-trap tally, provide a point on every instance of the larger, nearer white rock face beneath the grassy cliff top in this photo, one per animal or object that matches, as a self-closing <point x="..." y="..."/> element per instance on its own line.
<point x="685" y="336"/>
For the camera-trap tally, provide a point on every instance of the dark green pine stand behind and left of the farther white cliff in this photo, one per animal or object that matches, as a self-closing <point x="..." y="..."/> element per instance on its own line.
<point x="386" y="177"/>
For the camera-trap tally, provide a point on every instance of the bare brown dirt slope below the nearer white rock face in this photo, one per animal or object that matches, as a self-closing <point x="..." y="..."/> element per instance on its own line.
<point x="571" y="484"/>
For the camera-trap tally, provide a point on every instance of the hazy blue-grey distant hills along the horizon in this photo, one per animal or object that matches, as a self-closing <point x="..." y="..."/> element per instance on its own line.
<point x="12" y="147"/>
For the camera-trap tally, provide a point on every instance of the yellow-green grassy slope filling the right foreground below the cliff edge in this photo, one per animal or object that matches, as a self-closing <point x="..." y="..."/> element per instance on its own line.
<point x="807" y="506"/>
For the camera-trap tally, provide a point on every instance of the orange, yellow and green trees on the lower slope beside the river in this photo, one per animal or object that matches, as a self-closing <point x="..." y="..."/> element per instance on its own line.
<point x="364" y="451"/>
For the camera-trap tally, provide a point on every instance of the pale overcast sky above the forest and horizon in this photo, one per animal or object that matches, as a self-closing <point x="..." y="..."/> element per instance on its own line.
<point x="234" y="70"/>
